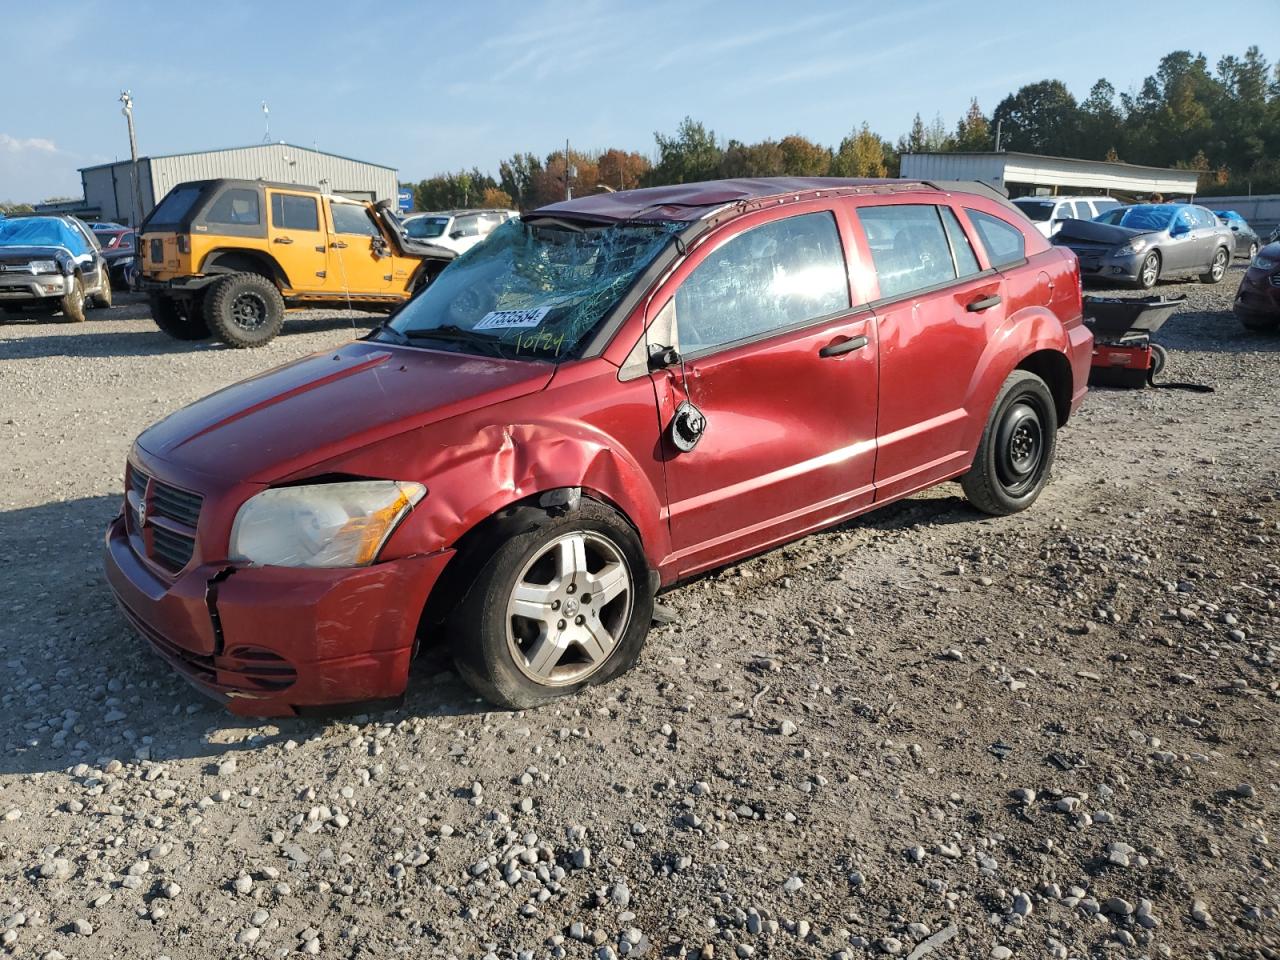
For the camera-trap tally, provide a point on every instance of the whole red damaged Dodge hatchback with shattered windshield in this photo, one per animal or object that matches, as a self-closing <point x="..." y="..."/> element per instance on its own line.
<point x="606" y="397"/>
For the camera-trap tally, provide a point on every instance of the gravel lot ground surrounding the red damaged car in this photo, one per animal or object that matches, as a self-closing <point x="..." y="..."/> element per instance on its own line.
<point x="922" y="734"/>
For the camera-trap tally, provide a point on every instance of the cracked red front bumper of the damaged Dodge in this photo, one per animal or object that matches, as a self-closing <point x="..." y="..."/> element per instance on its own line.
<point x="271" y="641"/>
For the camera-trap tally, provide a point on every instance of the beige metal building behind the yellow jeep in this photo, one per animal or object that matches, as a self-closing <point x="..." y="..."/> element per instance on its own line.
<point x="109" y="196"/>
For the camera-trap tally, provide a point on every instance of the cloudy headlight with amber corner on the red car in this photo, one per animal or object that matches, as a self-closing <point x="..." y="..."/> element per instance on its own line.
<point x="324" y="525"/>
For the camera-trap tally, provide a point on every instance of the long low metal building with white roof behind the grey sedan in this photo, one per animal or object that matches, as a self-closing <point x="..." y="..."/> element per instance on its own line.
<point x="1030" y="173"/>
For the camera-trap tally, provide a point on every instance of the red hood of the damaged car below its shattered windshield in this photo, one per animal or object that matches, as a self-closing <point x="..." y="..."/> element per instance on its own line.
<point x="331" y="404"/>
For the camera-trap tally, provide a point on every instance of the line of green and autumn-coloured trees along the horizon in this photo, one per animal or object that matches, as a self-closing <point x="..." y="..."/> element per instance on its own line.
<point x="1223" y="122"/>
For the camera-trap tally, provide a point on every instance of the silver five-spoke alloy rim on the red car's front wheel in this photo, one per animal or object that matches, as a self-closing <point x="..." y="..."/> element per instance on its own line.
<point x="569" y="609"/>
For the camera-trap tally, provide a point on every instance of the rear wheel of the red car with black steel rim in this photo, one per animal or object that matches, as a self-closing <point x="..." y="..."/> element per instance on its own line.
<point x="1017" y="450"/>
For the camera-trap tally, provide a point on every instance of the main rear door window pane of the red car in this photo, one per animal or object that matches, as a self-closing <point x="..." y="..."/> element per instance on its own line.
<point x="912" y="252"/>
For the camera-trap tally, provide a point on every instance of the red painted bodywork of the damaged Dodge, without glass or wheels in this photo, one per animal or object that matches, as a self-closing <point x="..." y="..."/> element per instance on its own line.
<point x="796" y="444"/>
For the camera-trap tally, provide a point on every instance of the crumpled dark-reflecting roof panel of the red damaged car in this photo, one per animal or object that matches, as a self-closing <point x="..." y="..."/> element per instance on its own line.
<point x="689" y="202"/>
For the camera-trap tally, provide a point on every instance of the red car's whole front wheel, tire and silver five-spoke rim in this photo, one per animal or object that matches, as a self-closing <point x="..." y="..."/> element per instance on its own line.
<point x="561" y="605"/>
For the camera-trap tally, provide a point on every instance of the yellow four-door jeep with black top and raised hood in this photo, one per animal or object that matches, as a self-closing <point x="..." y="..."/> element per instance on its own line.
<point x="227" y="258"/>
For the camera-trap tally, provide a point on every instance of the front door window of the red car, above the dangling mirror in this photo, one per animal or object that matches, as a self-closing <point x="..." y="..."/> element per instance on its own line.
<point x="771" y="277"/>
